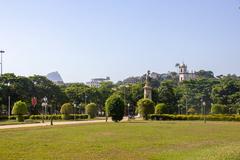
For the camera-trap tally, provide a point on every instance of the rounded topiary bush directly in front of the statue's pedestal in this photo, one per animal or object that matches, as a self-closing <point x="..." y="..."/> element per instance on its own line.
<point x="145" y="107"/>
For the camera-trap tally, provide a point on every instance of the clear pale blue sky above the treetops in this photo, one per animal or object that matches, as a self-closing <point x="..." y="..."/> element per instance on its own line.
<point x="83" y="39"/>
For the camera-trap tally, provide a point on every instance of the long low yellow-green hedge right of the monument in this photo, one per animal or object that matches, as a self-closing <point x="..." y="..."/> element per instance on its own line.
<point x="215" y="117"/>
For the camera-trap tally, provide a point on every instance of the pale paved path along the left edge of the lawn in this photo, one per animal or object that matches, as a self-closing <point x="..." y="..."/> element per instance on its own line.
<point x="48" y="124"/>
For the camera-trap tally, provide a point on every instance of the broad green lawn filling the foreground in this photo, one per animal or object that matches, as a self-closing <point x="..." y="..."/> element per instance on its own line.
<point x="124" y="141"/>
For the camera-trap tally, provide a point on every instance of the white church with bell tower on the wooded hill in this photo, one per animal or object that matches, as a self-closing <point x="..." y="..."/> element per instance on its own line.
<point x="184" y="75"/>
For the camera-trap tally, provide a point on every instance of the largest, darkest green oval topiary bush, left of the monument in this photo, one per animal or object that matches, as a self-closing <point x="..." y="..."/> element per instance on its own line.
<point x="115" y="108"/>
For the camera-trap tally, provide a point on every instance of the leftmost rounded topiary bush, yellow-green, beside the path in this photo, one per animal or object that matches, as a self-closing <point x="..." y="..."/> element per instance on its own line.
<point x="19" y="109"/>
